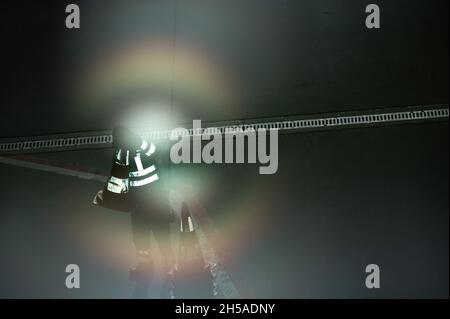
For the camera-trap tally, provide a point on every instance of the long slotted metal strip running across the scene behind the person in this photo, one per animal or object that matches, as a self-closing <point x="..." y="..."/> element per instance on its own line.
<point x="288" y="124"/>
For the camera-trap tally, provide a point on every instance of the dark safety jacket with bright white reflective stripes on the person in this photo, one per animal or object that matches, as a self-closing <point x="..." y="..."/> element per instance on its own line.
<point x="131" y="169"/>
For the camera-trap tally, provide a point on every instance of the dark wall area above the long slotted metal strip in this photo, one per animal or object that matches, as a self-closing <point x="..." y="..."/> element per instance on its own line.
<point x="232" y="59"/>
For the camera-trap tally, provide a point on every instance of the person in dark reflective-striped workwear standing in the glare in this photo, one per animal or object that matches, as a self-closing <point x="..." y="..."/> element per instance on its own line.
<point x="135" y="185"/>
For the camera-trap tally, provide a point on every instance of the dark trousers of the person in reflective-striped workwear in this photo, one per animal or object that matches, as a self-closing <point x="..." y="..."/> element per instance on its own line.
<point x="150" y="212"/>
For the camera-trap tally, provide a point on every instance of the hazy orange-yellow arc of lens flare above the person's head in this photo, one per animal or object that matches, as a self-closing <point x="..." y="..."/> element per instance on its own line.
<point x="182" y="78"/>
